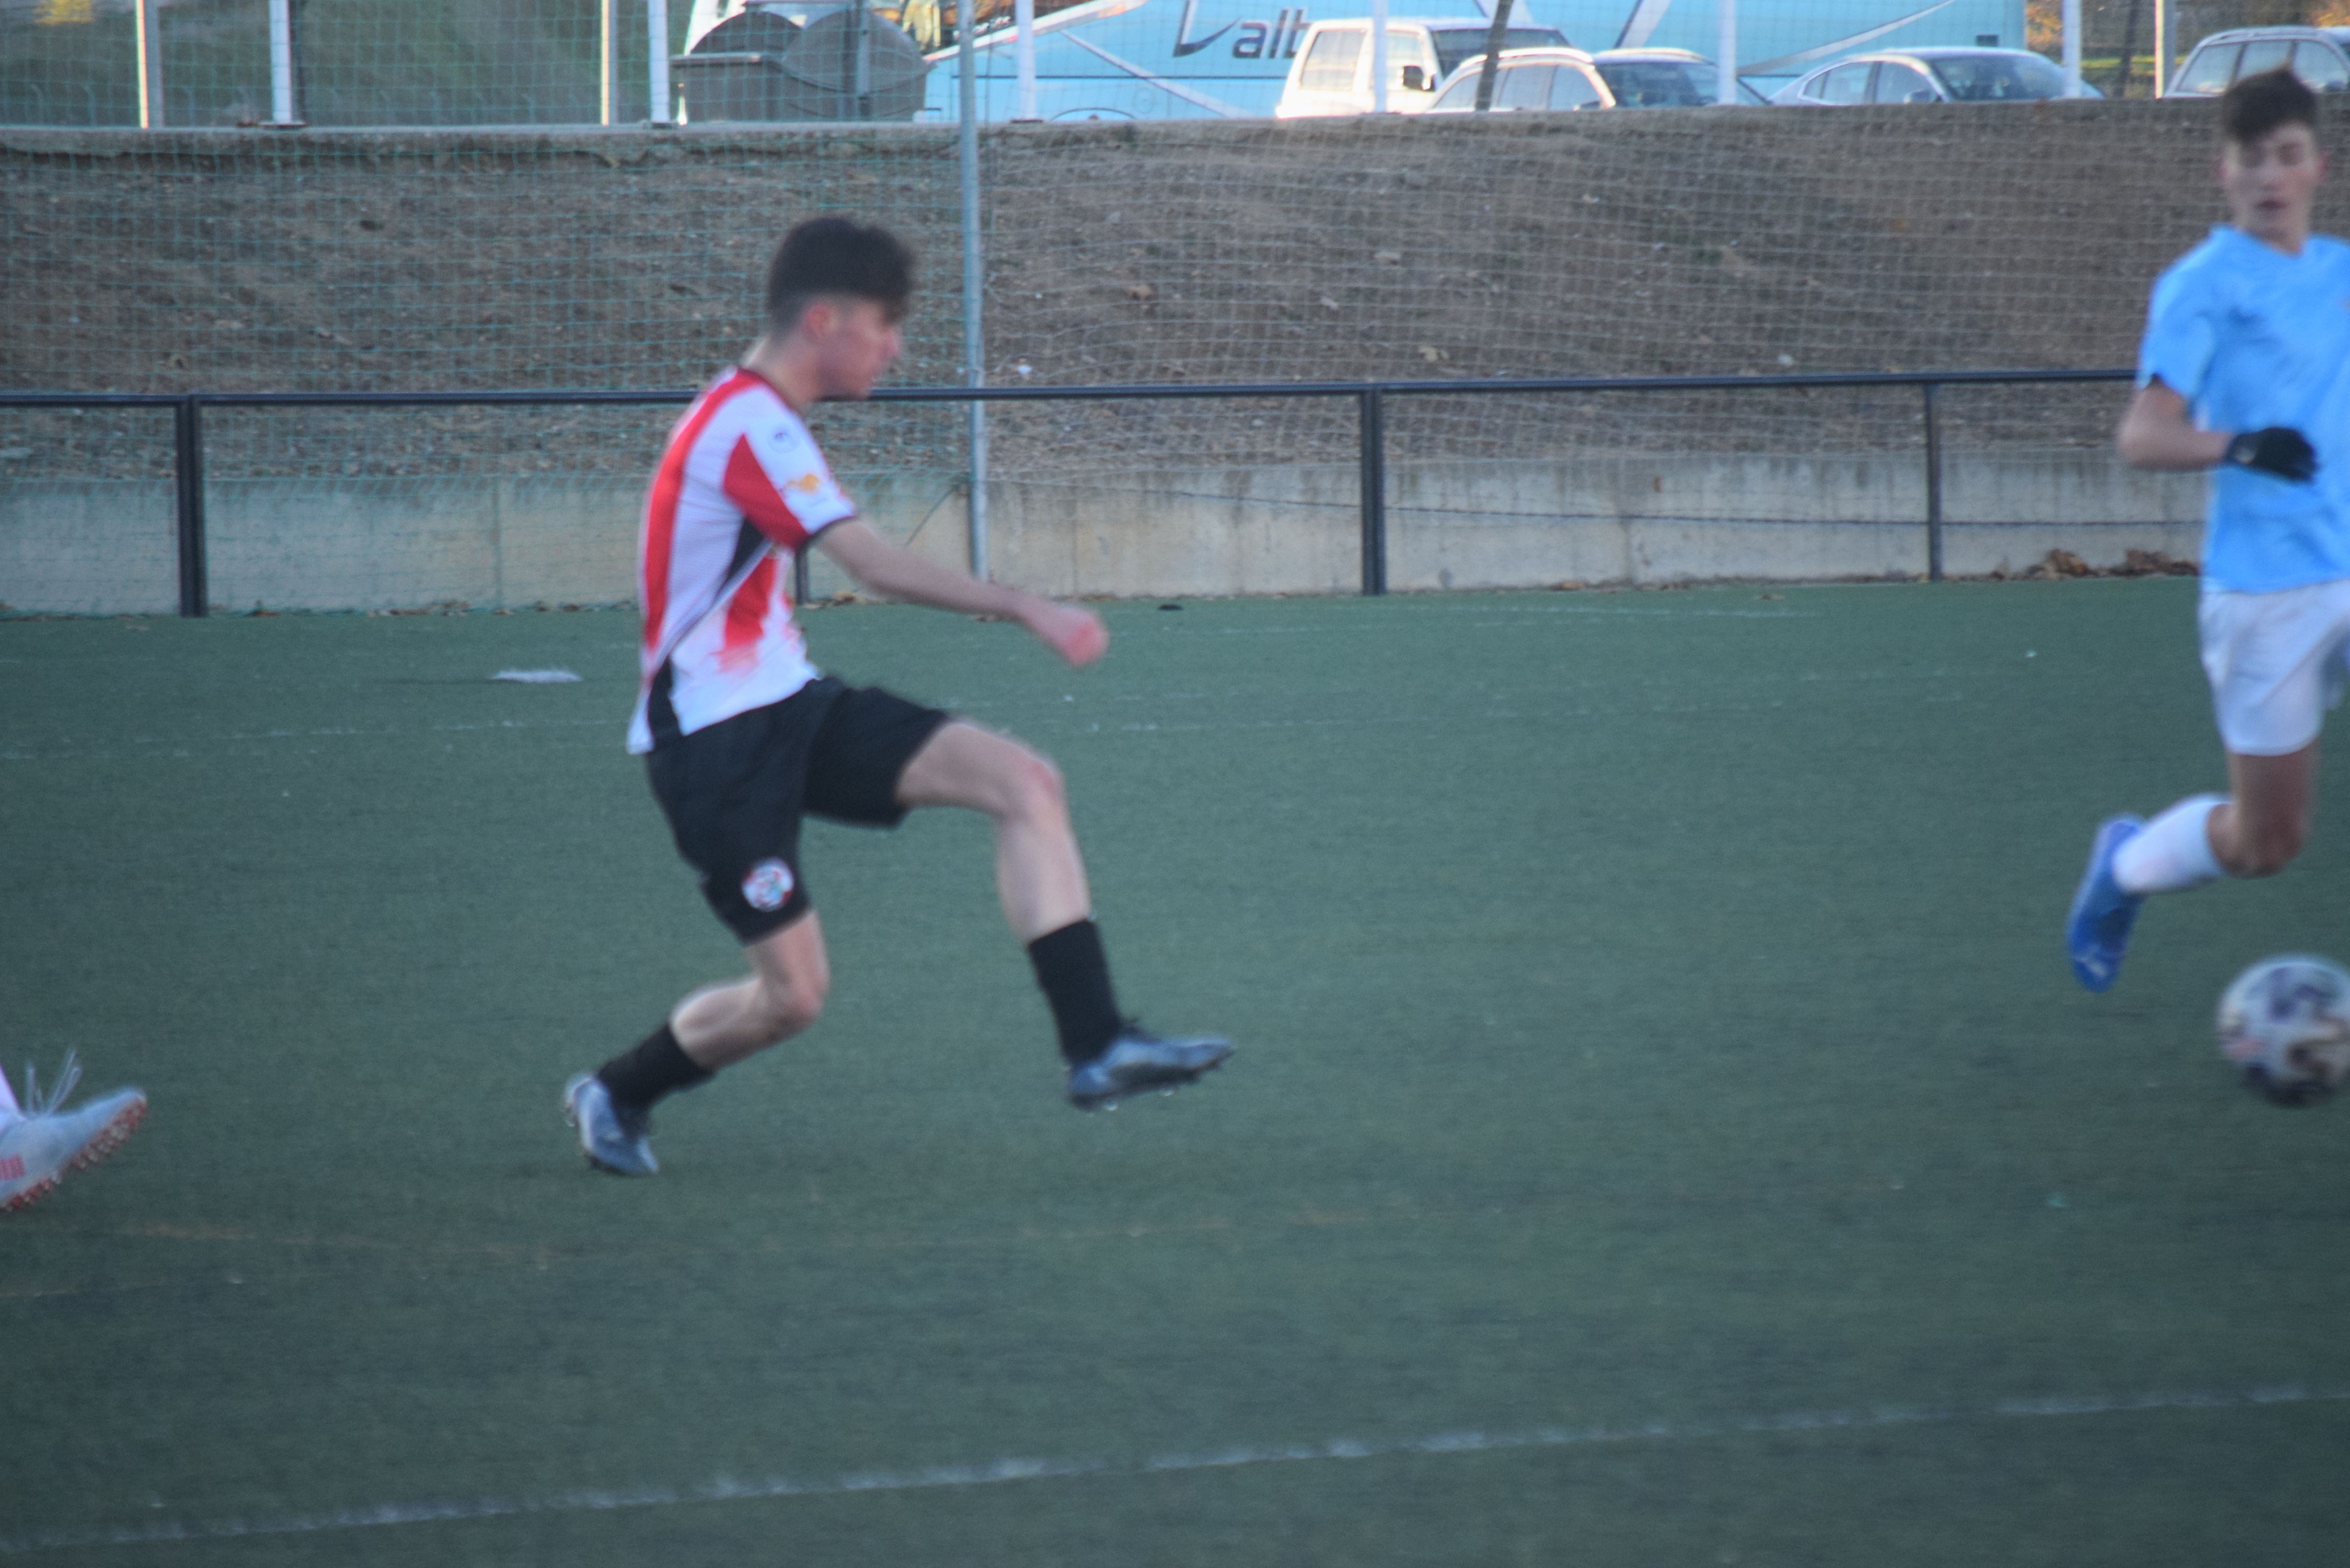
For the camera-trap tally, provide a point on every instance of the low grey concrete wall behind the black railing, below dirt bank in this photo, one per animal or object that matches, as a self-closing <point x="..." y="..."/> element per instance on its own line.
<point x="1630" y="518"/>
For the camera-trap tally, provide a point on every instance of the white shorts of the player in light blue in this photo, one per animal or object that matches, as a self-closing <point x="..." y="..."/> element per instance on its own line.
<point x="2276" y="664"/>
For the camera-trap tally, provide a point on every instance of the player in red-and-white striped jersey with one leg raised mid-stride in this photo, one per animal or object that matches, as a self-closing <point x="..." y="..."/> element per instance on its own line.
<point x="744" y="735"/>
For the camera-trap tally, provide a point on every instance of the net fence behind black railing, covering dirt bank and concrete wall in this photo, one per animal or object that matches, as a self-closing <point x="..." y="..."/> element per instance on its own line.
<point x="1750" y="241"/>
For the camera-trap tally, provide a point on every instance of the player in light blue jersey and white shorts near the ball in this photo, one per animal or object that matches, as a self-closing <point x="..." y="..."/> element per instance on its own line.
<point x="2245" y="370"/>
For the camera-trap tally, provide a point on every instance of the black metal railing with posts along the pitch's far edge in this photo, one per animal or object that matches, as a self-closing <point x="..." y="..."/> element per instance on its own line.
<point x="1369" y="398"/>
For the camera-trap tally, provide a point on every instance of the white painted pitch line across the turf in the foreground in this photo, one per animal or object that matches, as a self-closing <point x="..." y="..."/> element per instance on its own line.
<point x="998" y="1473"/>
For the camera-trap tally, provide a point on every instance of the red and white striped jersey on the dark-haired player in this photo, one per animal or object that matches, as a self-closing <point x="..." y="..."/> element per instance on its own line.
<point x="739" y="492"/>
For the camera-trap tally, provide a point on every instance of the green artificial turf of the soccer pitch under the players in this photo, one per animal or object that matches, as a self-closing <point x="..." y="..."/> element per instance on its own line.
<point x="1665" y="1130"/>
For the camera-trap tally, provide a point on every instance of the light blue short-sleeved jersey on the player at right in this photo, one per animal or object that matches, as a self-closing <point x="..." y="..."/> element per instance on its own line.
<point x="2252" y="340"/>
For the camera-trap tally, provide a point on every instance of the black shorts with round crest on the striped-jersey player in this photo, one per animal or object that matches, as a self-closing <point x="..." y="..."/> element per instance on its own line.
<point x="734" y="793"/>
